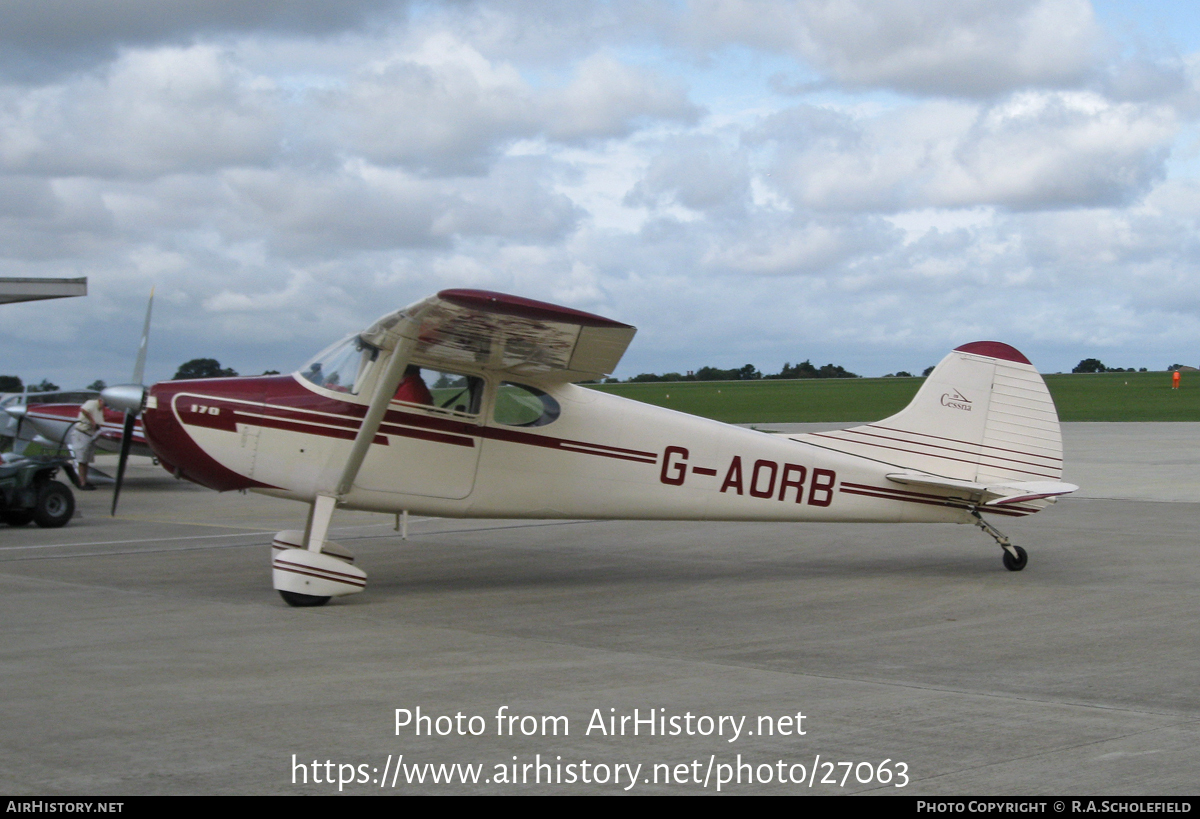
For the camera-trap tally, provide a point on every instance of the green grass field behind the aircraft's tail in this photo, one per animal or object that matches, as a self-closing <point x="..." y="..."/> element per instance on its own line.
<point x="1101" y="397"/>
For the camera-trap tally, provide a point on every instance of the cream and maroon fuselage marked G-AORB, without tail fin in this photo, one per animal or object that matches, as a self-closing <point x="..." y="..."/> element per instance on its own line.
<point x="595" y="456"/>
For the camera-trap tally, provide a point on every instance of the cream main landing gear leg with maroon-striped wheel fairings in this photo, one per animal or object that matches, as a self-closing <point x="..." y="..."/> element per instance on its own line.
<point x="308" y="570"/>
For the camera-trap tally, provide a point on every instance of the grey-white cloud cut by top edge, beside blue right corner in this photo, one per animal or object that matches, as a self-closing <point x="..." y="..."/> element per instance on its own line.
<point x="956" y="47"/>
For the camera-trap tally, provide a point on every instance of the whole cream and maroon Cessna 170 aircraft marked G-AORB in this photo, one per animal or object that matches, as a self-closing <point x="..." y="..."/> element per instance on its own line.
<point x="505" y="432"/>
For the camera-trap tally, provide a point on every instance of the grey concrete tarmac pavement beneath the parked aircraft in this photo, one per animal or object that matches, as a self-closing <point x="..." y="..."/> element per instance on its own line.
<point x="147" y="654"/>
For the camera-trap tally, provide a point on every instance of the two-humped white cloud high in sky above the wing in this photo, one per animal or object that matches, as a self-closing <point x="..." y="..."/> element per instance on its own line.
<point x="446" y="110"/>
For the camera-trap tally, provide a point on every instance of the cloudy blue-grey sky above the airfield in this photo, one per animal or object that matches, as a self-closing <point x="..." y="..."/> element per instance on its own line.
<point x="869" y="183"/>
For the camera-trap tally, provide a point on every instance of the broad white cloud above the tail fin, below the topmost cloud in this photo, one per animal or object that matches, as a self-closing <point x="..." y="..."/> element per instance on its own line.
<point x="1031" y="151"/>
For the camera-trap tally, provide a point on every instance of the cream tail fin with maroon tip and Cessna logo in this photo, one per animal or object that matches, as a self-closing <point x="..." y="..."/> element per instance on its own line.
<point x="983" y="416"/>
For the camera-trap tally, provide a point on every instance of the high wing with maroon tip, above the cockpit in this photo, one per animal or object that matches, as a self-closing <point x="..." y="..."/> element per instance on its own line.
<point x="506" y="334"/>
